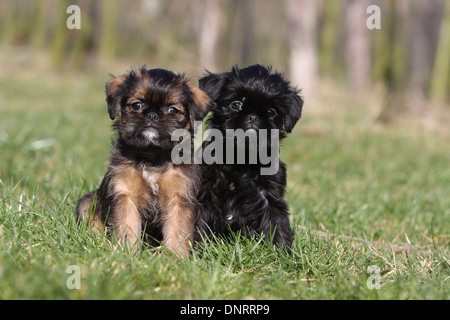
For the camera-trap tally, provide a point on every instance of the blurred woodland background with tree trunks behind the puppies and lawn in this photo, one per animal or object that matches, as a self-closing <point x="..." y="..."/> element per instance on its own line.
<point x="401" y="68"/>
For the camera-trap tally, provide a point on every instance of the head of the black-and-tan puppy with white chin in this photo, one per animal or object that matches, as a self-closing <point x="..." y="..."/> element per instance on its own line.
<point x="151" y="104"/>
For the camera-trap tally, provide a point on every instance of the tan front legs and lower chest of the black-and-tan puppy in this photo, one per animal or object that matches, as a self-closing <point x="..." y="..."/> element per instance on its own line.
<point x="135" y="188"/>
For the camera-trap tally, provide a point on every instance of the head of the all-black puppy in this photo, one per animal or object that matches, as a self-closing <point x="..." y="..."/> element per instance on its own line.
<point x="252" y="98"/>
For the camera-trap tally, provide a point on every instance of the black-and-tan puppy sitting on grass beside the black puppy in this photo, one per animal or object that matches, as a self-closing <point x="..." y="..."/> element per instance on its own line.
<point x="143" y="191"/>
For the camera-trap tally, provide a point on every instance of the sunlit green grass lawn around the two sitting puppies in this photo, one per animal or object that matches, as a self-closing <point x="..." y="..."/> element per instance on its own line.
<point x="360" y="196"/>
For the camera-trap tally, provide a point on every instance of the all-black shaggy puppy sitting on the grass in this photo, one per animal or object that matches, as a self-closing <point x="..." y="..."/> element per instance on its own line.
<point x="239" y="197"/>
